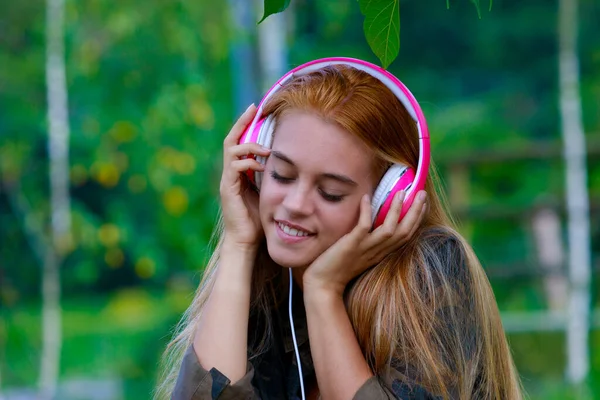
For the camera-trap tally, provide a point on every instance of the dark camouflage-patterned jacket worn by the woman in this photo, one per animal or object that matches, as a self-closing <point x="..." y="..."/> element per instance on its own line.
<point x="273" y="375"/>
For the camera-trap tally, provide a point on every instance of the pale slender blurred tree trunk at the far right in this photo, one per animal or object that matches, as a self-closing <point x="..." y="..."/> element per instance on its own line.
<point x="577" y="194"/>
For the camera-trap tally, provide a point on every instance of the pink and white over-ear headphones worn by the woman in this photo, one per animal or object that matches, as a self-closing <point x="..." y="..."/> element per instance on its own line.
<point x="398" y="177"/>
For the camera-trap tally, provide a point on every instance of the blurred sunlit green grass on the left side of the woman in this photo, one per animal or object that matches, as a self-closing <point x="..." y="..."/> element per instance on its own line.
<point x="116" y="337"/>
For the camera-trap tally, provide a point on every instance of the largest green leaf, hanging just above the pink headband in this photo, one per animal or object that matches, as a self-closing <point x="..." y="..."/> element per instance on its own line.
<point x="382" y="28"/>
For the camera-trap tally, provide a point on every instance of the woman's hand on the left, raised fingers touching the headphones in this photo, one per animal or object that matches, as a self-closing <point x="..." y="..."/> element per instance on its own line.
<point x="239" y="202"/>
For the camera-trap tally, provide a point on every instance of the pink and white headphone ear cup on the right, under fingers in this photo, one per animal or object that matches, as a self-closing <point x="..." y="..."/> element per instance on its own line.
<point x="397" y="178"/>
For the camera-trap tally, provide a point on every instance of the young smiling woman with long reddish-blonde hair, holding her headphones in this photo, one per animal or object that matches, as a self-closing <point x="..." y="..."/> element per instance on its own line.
<point x="402" y="311"/>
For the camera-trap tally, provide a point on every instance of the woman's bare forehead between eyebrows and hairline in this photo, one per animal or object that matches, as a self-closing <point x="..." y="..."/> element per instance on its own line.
<point x="309" y="141"/>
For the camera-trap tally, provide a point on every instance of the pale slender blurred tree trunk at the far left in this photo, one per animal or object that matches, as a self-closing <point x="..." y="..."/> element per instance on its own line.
<point x="58" y="152"/>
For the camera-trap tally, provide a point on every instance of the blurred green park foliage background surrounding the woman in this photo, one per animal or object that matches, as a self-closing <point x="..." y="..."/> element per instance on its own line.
<point x="154" y="86"/>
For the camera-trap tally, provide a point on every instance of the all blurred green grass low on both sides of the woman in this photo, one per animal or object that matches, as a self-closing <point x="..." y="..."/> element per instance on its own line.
<point x="121" y="336"/>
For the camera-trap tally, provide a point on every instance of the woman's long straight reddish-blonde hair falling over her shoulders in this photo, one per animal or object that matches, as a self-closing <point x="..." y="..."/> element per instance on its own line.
<point x="439" y="324"/>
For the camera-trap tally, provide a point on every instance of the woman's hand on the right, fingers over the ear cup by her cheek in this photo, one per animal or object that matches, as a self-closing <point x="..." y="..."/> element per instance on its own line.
<point x="360" y="249"/>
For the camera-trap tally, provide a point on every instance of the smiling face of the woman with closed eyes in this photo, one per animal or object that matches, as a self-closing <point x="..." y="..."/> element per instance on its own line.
<point x="310" y="195"/>
